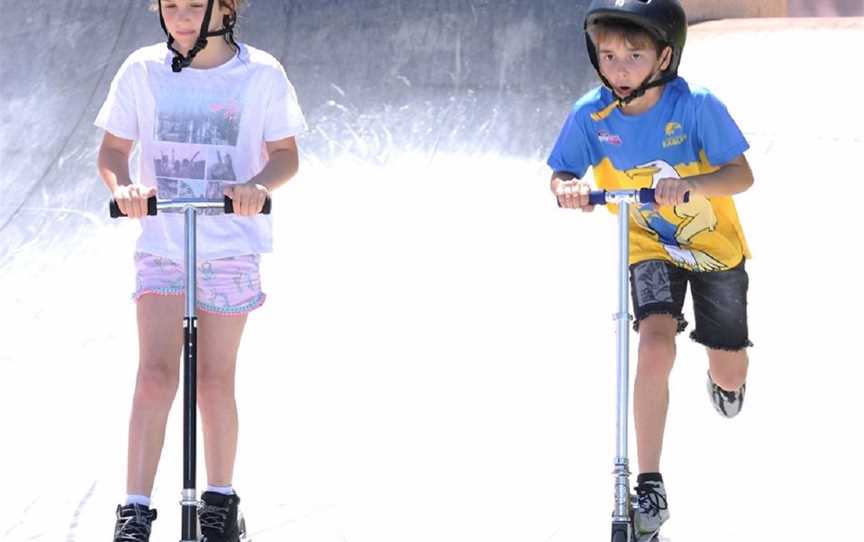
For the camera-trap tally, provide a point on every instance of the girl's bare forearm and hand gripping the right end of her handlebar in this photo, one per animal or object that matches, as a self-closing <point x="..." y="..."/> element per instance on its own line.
<point x="282" y="165"/>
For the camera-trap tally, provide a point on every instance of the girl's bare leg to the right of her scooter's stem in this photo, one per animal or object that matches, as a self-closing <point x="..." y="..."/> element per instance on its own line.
<point x="218" y="340"/>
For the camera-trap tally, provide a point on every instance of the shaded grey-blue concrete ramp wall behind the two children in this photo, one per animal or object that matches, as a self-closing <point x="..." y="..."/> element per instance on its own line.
<point x="375" y="77"/>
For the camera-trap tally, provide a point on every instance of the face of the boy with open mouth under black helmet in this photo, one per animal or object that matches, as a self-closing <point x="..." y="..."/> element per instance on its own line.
<point x="626" y="65"/>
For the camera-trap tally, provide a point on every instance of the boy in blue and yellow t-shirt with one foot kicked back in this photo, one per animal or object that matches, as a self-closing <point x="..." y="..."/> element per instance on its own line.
<point x="646" y="127"/>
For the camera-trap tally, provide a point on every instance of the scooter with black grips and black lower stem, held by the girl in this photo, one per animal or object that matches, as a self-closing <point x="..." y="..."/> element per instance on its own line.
<point x="190" y="207"/>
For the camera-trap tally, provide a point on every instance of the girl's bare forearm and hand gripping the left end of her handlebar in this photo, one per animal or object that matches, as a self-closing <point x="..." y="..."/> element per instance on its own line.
<point x="113" y="165"/>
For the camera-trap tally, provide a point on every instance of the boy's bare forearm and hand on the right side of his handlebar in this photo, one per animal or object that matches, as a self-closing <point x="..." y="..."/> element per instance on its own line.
<point x="731" y="178"/>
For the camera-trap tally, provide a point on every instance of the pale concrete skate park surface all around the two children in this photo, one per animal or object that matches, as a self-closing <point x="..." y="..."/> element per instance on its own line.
<point x="435" y="361"/>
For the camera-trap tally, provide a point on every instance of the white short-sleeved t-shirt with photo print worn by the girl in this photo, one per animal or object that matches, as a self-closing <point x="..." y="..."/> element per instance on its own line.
<point x="197" y="130"/>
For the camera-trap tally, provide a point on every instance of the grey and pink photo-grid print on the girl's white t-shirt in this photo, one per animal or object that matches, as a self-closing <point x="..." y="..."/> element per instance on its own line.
<point x="195" y="143"/>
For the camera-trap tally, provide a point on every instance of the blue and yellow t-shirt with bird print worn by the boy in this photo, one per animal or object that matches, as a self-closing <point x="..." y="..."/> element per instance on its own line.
<point x="687" y="132"/>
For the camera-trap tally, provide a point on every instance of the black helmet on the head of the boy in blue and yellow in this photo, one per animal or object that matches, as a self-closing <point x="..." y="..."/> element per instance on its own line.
<point x="664" y="19"/>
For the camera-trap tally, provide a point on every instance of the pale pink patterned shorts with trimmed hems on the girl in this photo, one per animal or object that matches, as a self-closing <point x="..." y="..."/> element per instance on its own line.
<point x="224" y="286"/>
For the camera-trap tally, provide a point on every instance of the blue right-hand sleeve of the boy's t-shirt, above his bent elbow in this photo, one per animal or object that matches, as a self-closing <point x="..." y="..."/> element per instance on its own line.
<point x="719" y="135"/>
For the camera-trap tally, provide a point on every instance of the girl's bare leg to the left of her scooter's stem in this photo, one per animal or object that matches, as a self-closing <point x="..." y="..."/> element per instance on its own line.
<point x="160" y="339"/>
